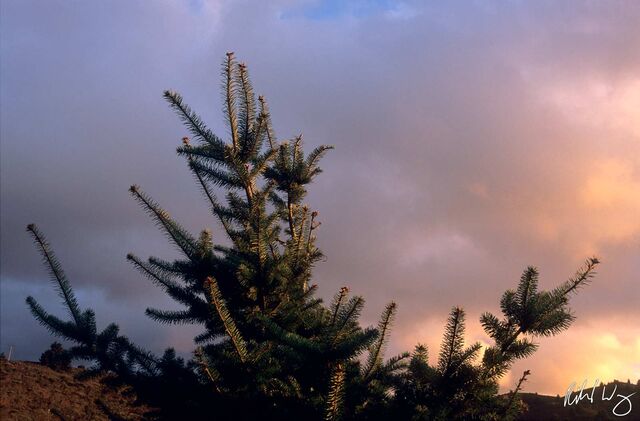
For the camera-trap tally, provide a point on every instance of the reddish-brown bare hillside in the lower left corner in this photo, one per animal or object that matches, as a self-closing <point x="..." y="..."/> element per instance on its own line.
<point x="31" y="391"/>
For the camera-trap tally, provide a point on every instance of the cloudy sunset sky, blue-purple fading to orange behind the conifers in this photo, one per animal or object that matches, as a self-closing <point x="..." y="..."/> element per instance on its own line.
<point x="472" y="139"/>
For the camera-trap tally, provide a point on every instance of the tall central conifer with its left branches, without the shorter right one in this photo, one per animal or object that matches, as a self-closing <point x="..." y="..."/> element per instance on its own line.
<point x="265" y="338"/>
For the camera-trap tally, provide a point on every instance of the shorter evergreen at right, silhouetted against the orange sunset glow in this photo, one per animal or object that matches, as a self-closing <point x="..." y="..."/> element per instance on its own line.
<point x="459" y="387"/>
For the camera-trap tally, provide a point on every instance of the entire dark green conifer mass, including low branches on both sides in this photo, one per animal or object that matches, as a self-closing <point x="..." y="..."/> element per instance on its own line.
<point x="266" y="340"/>
